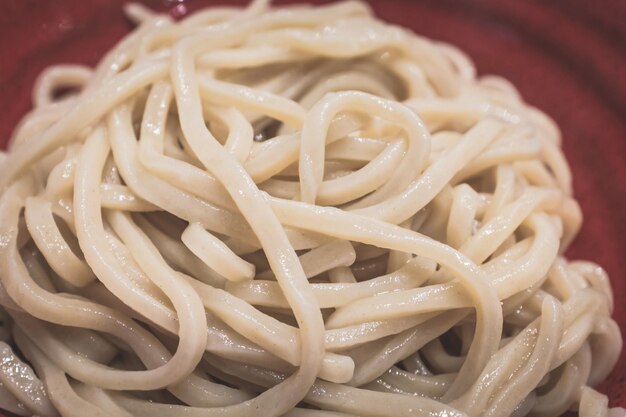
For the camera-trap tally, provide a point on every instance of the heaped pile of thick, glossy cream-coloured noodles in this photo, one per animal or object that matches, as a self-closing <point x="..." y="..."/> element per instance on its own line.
<point x="297" y="211"/>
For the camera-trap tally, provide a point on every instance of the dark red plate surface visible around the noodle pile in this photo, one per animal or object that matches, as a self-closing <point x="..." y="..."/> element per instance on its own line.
<point x="566" y="58"/>
